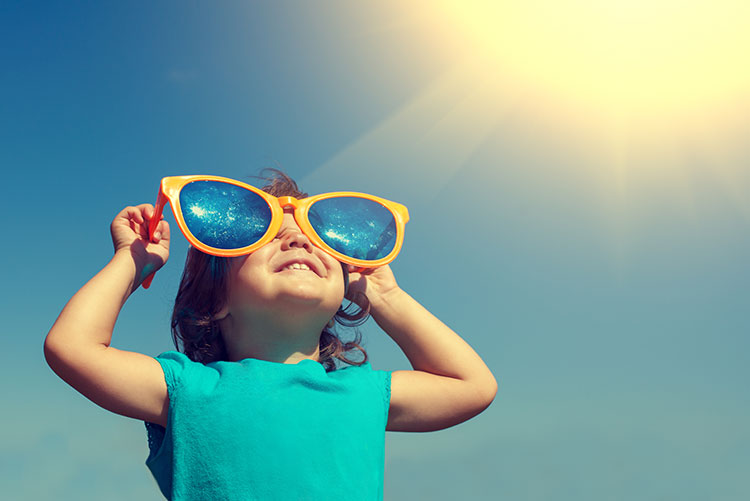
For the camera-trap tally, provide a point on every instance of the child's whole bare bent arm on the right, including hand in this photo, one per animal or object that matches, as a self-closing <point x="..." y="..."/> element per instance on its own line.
<point x="449" y="384"/>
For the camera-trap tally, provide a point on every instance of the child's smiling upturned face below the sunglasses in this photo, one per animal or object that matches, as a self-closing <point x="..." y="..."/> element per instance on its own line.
<point x="261" y="282"/>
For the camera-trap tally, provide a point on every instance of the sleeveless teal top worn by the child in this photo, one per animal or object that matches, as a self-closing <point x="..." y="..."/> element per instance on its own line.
<point x="255" y="429"/>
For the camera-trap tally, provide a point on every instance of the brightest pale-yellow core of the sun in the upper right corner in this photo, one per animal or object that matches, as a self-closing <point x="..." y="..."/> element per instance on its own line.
<point x="630" y="58"/>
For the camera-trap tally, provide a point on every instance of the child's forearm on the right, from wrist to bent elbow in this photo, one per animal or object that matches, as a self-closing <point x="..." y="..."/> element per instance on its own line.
<point x="429" y="344"/>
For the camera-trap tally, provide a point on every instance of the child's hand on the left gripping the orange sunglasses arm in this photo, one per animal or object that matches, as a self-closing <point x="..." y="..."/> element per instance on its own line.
<point x="129" y="232"/>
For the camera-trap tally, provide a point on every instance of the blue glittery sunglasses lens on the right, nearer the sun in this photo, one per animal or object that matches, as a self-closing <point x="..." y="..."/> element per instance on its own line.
<point x="356" y="227"/>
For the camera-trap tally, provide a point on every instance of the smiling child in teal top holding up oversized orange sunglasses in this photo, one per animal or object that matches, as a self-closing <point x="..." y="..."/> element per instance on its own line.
<point x="255" y="407"/>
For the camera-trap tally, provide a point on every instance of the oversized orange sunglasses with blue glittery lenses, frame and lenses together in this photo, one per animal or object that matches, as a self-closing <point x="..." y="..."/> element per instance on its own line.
<point x="224" y="217"/>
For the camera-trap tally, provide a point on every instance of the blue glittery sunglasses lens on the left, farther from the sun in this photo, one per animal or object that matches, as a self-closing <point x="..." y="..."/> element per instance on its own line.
<point x="223" y="215"/>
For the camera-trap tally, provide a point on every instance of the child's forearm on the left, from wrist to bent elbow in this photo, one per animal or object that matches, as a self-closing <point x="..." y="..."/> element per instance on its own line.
<point x="89" y="317"/>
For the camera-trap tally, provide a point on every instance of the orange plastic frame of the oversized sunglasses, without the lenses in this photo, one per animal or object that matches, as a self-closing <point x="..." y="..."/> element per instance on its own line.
<point x="169" y="191"/>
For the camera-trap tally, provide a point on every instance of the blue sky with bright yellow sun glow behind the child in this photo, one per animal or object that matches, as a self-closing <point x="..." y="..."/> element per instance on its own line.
<point x="576" y="175"/>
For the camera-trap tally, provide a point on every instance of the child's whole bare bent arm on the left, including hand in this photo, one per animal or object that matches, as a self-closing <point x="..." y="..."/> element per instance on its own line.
<point x="77" y="348"/>
